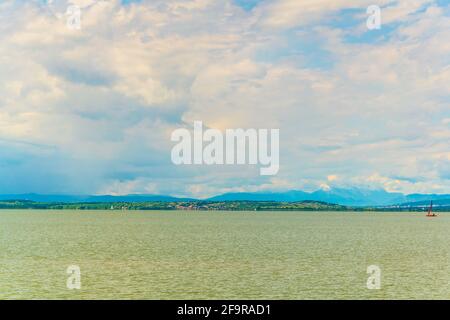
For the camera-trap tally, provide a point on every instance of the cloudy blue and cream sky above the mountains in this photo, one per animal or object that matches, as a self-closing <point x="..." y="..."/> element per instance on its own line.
<point x="91" y="111"/>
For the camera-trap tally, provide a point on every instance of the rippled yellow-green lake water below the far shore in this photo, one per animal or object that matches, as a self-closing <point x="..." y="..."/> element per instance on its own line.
<point x="223" y="255"/>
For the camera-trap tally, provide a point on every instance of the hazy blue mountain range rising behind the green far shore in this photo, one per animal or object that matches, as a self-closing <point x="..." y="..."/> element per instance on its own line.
<point x="341" y="196"/>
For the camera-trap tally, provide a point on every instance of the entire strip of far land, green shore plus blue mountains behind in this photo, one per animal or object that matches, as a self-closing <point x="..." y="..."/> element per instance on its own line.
<point x="333" y="199"/>
